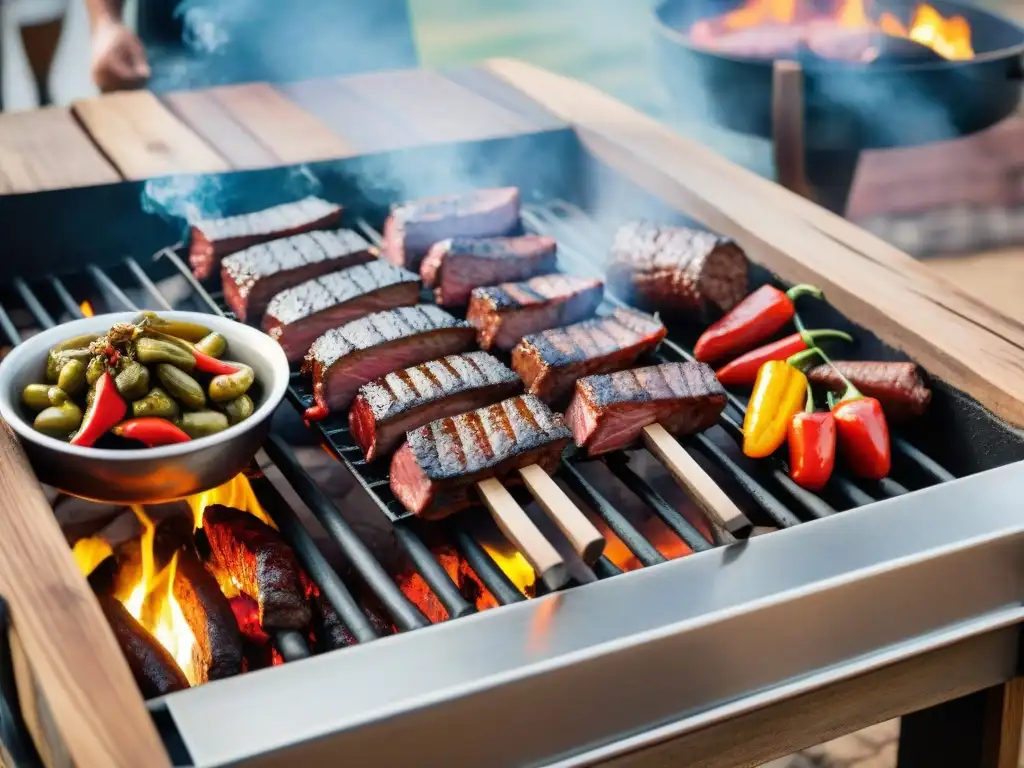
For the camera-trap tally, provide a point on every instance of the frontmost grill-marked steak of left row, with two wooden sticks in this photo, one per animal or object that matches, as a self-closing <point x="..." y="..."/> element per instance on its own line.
<point x="435" y="473"/>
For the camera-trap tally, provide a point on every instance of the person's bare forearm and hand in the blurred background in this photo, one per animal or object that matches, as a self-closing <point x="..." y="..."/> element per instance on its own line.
<point x="118" y="57"/>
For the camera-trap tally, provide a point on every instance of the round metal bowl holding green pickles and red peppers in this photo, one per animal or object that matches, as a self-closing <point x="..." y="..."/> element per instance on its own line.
<point x="145" y="476"/>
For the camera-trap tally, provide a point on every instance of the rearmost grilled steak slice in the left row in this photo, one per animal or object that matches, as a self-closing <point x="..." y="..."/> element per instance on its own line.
<point x="215" y="239"/>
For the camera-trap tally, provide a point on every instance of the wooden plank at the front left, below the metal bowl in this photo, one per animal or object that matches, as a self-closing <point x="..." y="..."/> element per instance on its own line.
<point x="80" y="702"/>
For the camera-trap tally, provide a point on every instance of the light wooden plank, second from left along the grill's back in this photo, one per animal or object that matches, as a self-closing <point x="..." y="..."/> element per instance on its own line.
<point x="143" y="139"/>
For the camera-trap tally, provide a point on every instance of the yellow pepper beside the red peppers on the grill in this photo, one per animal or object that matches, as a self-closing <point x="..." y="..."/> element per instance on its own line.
<point x="780" y="394"/>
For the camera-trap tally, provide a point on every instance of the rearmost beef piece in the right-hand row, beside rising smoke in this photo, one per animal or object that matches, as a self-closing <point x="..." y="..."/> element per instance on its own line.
<point x="414" y="228"/>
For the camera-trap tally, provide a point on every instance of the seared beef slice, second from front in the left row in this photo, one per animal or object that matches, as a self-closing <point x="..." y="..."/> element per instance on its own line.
<point x="387" y="409"/>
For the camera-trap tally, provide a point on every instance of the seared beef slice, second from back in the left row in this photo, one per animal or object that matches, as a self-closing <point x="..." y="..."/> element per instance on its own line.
<point x="253" y="277"/>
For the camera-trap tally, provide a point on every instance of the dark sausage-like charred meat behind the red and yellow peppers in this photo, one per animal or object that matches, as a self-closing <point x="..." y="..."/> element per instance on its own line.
<point x="899" y="387"/>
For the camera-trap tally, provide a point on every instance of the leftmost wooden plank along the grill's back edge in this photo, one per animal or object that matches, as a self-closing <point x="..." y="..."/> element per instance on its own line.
<point x="48" y="150"/>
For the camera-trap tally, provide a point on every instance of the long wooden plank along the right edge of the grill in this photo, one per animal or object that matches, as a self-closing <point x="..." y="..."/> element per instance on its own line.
<point x="955" y="335"/>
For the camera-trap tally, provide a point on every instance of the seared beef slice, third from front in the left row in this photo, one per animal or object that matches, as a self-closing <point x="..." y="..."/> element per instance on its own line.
<point x="345" y="359"/>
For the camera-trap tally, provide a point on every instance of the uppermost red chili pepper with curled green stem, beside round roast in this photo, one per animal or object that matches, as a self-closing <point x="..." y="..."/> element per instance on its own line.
<point x="753" y="321"/>
